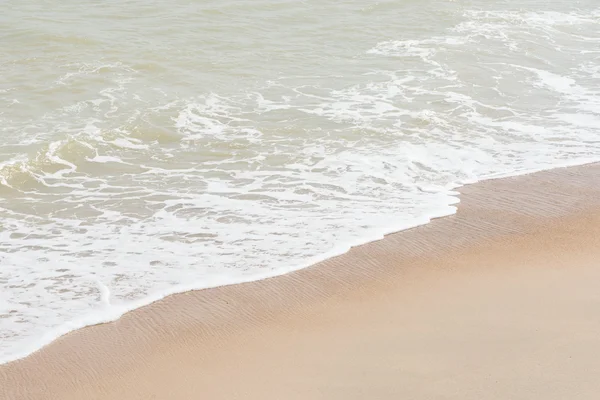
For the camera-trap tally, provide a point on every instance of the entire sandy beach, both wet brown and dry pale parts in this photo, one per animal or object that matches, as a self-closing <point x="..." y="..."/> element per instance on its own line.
<point x="501" y="301"/>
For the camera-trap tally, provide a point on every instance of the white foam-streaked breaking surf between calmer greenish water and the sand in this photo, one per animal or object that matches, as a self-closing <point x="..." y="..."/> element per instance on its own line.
<point x="132" y="192"/>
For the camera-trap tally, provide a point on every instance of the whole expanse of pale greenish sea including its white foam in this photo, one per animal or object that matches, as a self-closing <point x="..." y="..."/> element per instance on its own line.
<point x="152" y="147"/>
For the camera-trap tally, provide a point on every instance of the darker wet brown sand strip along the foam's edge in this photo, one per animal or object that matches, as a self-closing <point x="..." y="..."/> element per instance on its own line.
<point x="491" y="213"/>
